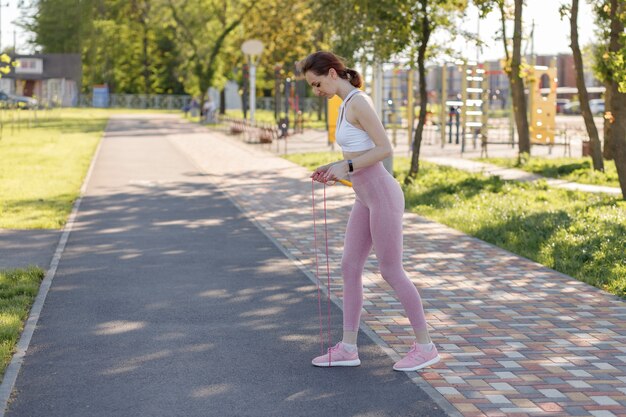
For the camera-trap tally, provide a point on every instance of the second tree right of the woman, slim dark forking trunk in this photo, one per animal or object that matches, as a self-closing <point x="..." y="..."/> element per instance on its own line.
<point x="513" y="63"/>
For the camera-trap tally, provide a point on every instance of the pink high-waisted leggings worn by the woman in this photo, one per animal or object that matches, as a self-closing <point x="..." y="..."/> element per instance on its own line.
<point x="376" y="220"/>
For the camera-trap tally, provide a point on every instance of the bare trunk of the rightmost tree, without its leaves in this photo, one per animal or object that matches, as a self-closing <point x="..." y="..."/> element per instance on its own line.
<point x="618" y="100"/>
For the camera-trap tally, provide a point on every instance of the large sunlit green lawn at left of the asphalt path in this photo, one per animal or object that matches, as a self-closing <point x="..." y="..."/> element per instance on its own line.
<point x="43" y="162"/>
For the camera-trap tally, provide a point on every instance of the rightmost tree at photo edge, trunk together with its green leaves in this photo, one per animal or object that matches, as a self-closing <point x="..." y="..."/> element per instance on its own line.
<point x="611" y="69"/>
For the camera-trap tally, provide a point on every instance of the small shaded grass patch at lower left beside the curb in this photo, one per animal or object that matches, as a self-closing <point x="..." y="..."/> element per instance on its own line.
<point x="18" y="289"/>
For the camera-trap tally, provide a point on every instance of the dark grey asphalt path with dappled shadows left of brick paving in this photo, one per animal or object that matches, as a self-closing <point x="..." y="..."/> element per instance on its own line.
<point x="168" y="301"/>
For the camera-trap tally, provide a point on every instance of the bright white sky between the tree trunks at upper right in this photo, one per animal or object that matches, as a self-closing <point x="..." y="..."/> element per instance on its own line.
<point x="551" y="33"/>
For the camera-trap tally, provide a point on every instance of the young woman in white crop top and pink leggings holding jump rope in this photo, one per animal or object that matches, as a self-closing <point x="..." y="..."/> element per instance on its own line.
<point x="376" y="217"/>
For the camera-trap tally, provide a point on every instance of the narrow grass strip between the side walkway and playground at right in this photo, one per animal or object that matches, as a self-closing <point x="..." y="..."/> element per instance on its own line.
<point x="570" y="169"/>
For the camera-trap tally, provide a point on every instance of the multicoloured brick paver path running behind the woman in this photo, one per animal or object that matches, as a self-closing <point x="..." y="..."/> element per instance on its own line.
<point x="516" y="338"/>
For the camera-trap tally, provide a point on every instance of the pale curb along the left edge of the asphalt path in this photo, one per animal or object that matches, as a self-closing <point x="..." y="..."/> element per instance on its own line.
<point x="13" y="369"/>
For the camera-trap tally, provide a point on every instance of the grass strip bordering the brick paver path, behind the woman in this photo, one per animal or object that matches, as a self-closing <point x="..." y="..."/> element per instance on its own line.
<point x="580" y="234"/>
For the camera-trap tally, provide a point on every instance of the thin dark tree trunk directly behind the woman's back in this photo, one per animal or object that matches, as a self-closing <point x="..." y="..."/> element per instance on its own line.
<point x="421" y="69"/>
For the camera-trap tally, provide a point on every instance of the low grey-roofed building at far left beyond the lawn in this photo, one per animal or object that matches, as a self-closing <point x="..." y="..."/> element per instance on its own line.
<point x="53" y="79"/>
